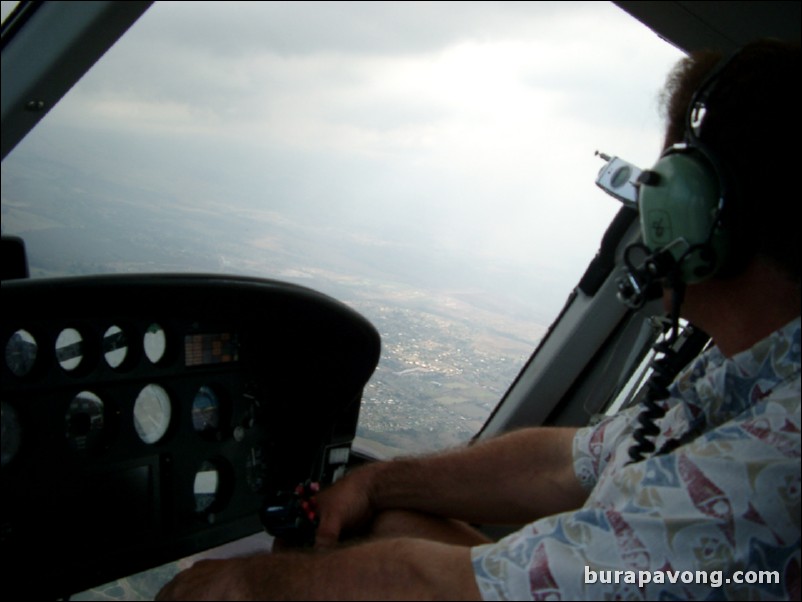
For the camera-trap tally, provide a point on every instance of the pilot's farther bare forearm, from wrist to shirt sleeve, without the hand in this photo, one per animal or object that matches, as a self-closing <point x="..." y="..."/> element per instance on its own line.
<point x="515" y="478"/>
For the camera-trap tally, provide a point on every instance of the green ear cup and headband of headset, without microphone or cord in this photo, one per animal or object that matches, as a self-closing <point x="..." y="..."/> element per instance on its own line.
<point x="685" y="197"/>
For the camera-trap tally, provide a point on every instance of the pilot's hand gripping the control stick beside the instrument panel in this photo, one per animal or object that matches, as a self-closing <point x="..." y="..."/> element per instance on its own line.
<point x="346" y="507"/>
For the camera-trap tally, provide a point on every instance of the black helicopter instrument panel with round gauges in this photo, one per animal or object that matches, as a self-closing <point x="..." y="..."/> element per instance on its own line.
<point x="146" y="418"/>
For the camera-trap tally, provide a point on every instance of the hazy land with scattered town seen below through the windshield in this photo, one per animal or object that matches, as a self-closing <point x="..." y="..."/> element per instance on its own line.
<point x="450" y="347"/>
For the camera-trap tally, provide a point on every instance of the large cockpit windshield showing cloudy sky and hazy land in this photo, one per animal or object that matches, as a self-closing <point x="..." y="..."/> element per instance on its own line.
<point x="430" y="164"/>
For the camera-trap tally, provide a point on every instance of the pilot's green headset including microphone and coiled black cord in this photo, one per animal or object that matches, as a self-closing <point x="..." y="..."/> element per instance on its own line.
<point x="683" y="203"/>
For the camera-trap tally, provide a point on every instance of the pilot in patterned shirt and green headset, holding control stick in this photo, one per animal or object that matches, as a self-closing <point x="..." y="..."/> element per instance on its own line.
<point x="710" y="510"/>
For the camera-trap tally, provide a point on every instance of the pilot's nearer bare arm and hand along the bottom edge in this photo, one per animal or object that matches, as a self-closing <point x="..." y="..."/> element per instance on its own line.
<point x="398" y="569"/>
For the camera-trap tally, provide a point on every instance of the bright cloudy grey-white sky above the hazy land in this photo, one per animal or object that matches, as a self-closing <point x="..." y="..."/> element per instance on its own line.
<point x="462" y="129"/>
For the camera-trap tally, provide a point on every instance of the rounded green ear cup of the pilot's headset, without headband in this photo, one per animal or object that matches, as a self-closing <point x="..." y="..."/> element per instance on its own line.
<point x="680" y="211"/>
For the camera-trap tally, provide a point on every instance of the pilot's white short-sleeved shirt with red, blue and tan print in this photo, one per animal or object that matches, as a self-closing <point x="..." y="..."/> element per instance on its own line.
<point x="697" y="523"/>
